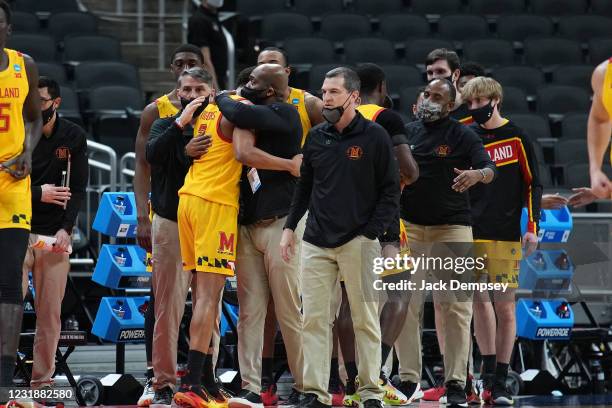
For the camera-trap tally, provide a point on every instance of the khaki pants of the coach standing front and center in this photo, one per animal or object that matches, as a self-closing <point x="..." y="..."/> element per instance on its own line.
<point x="321" y="270"/>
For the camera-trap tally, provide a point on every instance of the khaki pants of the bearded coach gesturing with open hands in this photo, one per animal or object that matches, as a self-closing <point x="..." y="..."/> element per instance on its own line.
<point x="458" y="314"/>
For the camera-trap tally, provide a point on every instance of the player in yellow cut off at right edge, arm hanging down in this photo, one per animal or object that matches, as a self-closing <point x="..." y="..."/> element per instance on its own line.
<point x="598" y="137"/>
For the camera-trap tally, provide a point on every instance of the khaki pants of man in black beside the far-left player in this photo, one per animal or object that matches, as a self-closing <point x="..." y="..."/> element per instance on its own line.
<point x="50" y="272"/>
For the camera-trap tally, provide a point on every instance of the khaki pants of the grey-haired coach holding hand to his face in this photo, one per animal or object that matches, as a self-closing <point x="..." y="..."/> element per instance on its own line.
<point x="170" y="286"/>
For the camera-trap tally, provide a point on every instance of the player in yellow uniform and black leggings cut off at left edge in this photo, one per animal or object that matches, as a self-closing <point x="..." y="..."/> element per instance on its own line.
<point x="20" y="130"/>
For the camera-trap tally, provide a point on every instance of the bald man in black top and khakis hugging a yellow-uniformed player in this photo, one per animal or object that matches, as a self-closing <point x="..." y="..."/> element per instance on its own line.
<point x="265" y="200"/>
